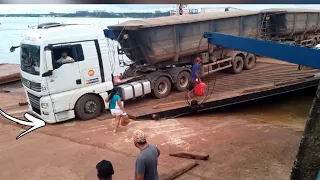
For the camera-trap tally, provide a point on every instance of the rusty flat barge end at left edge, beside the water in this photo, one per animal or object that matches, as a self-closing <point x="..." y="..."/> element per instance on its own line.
<point x="9" y="73"/>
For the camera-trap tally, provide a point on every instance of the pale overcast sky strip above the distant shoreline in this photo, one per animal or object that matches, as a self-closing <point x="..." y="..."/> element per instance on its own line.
<point x="65" y="8"/>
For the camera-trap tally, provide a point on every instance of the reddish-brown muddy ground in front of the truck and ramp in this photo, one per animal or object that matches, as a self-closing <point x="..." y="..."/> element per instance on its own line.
<point x="239" y="148"/>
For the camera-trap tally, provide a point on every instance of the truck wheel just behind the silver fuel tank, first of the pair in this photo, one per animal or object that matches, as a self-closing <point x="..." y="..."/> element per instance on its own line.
<point x="162" y="87"/>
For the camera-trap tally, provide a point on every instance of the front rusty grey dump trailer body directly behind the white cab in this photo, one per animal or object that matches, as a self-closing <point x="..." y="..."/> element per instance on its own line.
<point x="164" y="43"/>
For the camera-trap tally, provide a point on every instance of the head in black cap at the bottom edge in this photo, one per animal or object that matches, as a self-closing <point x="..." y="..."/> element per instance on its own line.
<point x="104" y="170"/>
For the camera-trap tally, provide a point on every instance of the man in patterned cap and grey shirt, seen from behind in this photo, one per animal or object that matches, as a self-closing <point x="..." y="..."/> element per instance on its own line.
<point x="147" y="161"/>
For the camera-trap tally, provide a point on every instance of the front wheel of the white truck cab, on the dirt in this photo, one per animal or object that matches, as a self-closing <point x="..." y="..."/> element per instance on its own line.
<point x="88" y="107"/>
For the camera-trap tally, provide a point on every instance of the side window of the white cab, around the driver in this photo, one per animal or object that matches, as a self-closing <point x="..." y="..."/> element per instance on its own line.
<point x="74" y="51"/>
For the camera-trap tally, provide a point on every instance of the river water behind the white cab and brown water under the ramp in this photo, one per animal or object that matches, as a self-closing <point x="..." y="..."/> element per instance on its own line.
<point x="291" y="109"/>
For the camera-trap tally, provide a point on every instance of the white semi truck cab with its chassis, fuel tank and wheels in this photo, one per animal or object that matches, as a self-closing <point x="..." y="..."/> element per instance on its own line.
<point x="58" y="92"/>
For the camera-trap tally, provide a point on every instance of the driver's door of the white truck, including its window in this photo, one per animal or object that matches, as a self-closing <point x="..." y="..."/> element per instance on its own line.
<point x="65" y="77"/>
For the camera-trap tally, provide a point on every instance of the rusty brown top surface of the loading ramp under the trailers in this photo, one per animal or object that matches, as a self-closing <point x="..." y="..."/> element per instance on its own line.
<point x="263" y="77"/>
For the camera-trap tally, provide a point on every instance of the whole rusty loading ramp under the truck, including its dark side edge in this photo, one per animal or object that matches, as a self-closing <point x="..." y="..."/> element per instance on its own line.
<point x="269" y="77"/>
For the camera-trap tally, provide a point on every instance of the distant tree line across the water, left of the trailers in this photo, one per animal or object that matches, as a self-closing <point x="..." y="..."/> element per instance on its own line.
<point x="95" y="14"/>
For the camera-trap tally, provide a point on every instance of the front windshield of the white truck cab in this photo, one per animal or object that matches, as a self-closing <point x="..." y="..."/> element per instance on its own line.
<point x="30" y="59"/>
